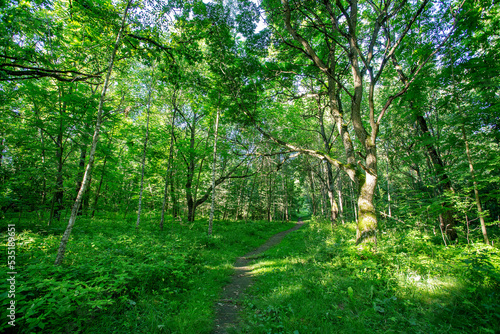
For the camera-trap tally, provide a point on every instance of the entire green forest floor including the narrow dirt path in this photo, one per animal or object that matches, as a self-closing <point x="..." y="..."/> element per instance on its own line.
<point x="116" y="279"/>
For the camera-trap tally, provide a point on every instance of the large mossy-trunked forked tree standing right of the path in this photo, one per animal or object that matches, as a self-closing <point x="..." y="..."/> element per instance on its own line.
<point x="361" y="36"/>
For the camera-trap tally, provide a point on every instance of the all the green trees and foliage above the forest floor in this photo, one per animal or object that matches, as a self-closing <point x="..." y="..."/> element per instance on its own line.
<point x="347" y="109"/>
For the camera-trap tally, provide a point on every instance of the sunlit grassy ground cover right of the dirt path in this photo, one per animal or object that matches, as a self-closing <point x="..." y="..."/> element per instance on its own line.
<point x="317" y="281"/>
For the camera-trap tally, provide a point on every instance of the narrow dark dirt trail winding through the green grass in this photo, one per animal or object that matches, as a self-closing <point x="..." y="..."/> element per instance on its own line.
<point x="228" y="306"/>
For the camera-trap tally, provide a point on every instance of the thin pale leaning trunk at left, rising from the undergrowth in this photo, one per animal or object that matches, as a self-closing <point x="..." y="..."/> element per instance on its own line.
<point x="95" y="139"/>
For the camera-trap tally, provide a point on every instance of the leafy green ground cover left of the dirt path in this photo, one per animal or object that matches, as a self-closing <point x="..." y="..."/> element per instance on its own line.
<point x="118" y="280"/>
